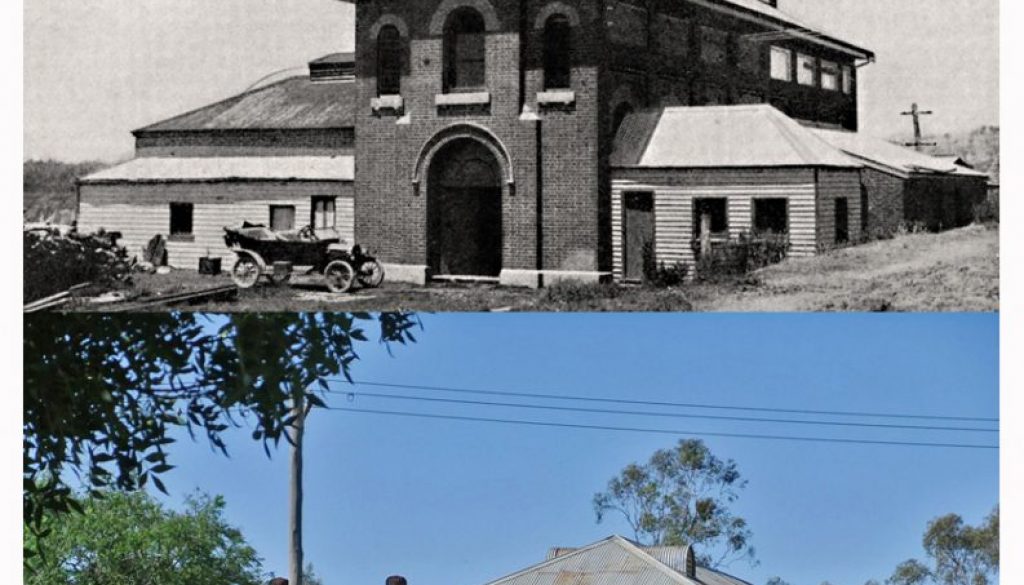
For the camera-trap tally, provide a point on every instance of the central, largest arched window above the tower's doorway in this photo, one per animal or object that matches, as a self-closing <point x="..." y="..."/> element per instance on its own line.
<point x="465" y="51"/>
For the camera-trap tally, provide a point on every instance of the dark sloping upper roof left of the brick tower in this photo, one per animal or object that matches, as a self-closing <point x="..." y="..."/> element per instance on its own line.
<point x="296" y="103"/>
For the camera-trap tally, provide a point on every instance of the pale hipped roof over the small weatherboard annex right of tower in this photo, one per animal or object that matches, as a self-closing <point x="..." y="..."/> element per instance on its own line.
<point x="721" y="137"/>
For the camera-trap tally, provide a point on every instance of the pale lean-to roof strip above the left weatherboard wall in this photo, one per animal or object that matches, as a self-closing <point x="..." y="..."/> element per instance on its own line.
<point x="170" y="170"/>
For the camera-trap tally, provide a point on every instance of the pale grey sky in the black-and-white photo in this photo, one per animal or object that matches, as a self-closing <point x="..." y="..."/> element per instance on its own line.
<point x="95" y="70"/>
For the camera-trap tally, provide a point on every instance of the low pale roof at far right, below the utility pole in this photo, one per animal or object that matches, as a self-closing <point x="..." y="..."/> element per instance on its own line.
<point x="892" y="158"/>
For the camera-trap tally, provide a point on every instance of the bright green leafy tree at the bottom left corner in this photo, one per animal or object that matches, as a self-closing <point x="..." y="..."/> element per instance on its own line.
<point x="124" y="539"/>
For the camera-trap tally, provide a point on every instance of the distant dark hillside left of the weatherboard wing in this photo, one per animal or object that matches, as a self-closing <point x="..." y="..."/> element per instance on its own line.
<point x="50" y="189"/>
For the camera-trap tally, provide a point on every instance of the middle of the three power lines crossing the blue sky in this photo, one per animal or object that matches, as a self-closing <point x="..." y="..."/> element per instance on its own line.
<point x="665" y="415"/>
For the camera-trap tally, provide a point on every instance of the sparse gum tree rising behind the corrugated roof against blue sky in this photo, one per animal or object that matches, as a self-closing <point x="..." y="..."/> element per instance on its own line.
<point x="682" y="496"/>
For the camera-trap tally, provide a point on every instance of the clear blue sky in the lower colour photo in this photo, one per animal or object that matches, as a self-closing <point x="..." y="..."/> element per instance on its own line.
<point x="462" y="504"/>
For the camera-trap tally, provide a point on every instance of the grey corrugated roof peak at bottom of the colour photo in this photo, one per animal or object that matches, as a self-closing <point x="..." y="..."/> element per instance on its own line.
<point x="616" y="561"/>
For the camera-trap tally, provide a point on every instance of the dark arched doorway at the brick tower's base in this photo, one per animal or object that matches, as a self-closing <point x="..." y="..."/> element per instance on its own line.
<point x="464" y="211"/>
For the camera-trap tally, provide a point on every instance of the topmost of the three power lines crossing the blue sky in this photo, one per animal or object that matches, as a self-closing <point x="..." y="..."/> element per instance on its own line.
<point x="662" y="404"/>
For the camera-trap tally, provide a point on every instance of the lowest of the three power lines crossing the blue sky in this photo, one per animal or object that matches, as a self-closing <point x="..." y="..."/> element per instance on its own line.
<point x="666" y="432"/>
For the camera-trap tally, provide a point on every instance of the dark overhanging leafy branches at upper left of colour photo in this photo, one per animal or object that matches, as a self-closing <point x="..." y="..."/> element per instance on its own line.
<point x="103" y="393"/>
